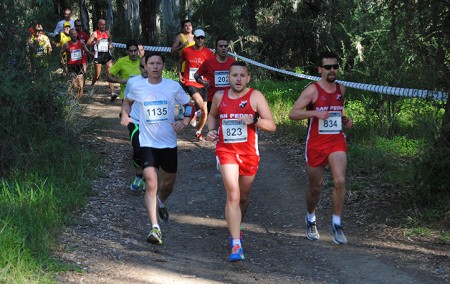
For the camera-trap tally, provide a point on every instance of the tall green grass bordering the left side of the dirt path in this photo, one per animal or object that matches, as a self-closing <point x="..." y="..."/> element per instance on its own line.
<point x="37" y="201"/>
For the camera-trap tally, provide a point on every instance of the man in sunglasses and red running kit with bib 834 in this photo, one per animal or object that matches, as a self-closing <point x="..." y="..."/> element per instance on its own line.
<point x="322" y="103"/>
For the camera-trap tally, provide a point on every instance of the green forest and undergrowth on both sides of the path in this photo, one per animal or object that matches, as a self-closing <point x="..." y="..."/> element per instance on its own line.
<point x="402" y="142"/>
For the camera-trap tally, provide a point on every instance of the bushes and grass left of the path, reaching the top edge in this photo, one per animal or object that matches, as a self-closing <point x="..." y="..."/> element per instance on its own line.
<point x="44" y="174"/>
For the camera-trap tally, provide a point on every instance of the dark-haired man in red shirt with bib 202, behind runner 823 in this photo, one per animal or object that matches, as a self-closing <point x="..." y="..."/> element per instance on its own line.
<point x="215" y="71"/>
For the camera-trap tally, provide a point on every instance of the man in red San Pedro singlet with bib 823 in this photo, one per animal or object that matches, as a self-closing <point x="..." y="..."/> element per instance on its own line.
<point x="236" y="115"/>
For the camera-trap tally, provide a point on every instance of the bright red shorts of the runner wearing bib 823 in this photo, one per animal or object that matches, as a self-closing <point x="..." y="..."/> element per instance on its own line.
<point x="248" y="164"/>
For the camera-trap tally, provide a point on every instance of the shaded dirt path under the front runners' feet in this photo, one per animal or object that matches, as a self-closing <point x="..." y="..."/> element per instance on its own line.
<point x="108" y="241"/>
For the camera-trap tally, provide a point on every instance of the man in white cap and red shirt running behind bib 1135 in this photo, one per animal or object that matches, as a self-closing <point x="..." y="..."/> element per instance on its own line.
<point x="193" y="57"/>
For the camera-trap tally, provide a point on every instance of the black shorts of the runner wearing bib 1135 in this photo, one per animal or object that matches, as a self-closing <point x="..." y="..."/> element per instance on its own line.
<point x="166" y="158"/>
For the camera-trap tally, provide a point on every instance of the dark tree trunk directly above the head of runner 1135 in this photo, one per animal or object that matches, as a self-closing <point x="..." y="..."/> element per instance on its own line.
<point x="148" y="21"/>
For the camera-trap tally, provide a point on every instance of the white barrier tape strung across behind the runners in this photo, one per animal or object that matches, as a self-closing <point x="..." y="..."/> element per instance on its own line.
<point x="403" y="92"/>
